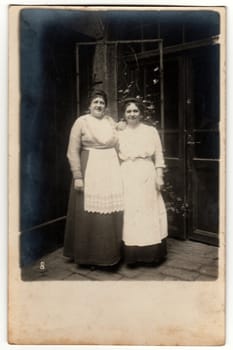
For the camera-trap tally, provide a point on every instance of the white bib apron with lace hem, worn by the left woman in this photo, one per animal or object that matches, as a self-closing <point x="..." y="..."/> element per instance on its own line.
<point x="102" y="184"/>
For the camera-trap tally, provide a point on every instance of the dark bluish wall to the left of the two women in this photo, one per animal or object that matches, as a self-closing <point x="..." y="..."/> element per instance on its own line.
<point x="47" y="111"/>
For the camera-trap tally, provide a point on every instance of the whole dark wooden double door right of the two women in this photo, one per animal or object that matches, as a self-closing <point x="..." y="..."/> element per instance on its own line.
<point x="191" y="92"/>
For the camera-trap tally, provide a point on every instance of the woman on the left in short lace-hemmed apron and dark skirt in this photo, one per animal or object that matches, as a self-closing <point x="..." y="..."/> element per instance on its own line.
<point x="93" y="233"/>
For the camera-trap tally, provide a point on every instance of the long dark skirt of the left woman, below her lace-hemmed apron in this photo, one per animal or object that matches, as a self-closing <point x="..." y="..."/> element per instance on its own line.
<point x="91" y="238"/>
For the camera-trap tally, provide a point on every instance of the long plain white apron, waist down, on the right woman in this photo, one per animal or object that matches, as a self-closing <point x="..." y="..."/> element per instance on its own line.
<point x="145" y="217"/>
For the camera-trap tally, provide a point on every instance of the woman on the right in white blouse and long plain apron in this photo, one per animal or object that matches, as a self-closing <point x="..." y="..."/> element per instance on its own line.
<point x="142" y="163"/>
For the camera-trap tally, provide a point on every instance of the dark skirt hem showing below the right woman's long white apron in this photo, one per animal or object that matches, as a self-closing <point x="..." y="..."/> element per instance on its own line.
<point x="155" y="253"/>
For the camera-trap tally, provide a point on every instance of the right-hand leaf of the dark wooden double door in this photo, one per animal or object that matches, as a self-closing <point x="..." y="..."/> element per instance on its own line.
<point x="203" y="143"/>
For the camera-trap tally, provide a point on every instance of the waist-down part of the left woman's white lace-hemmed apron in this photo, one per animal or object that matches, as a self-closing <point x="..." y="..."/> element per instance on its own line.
<point x="103" y="188"/>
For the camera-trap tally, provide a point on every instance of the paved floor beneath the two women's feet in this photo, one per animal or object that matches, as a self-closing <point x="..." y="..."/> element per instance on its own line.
<point x="186" y="261"/>
